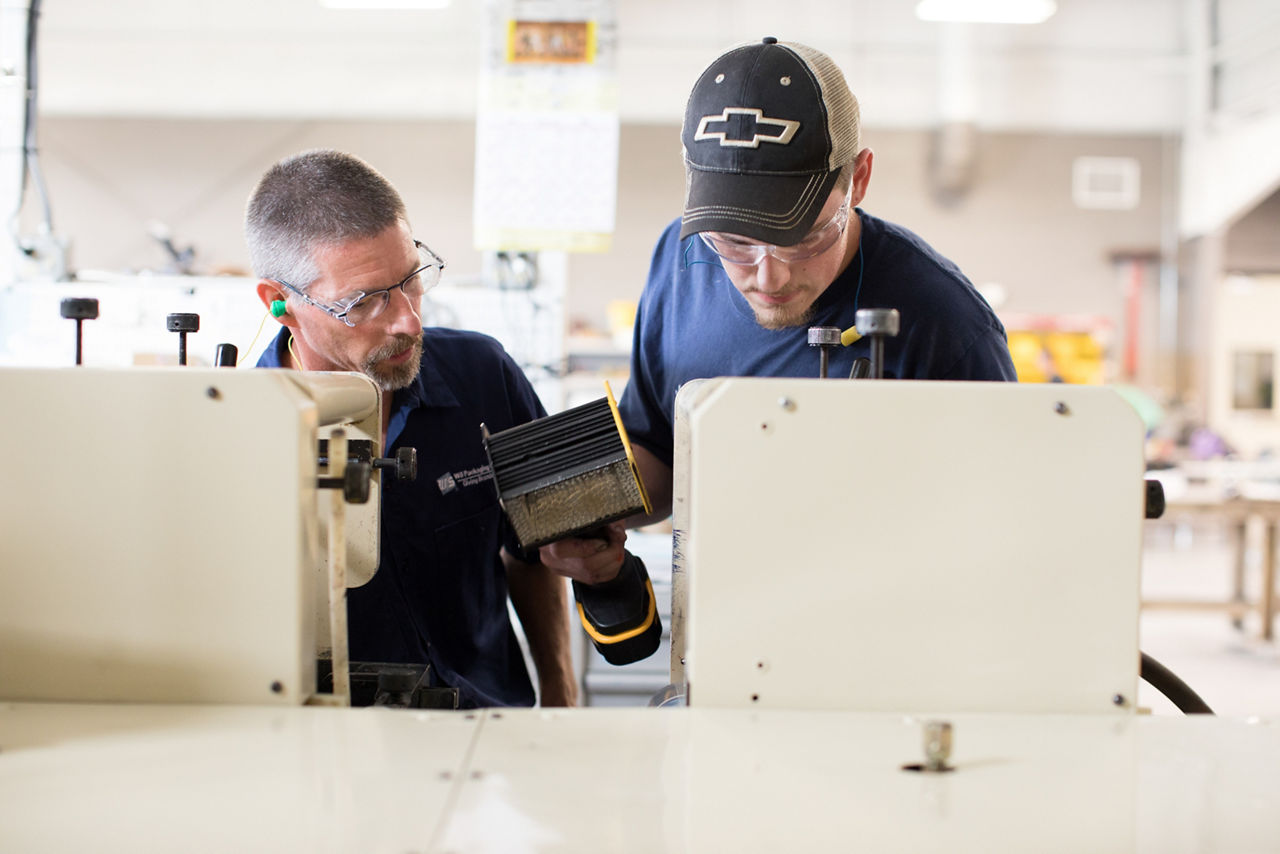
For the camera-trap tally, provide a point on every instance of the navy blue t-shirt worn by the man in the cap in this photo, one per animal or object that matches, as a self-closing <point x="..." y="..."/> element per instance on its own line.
<point x="694" y="325"/>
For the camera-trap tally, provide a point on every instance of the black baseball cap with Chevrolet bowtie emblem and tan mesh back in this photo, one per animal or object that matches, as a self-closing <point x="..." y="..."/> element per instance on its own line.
<point x="767" y="129"/>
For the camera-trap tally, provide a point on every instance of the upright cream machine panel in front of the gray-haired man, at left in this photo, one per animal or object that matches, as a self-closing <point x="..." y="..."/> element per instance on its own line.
<point x="159" y="533"/>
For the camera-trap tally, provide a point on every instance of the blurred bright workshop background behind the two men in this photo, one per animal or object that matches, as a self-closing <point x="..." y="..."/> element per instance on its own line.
<point x="1108" y="179"/>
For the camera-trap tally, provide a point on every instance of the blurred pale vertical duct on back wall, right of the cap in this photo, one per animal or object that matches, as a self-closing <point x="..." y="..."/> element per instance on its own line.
<point x="953" y="163"/>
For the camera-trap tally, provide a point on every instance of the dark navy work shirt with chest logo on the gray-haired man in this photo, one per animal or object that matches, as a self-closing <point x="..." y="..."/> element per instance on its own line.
<point x="440" y="595"/>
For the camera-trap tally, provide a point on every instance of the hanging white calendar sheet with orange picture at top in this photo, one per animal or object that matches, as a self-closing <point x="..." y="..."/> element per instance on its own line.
<point x="547" y="127"/>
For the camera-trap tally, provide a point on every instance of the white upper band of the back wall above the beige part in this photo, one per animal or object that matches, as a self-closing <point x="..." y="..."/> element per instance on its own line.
<point x="1098" y="66"/>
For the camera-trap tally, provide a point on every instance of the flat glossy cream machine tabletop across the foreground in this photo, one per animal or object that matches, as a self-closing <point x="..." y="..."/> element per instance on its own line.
<point x="83" y="778"/>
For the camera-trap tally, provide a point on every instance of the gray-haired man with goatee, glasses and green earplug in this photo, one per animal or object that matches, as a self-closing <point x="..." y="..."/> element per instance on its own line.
<point x="340" y="268"/>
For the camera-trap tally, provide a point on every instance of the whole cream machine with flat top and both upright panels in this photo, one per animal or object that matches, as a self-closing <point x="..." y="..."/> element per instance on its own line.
<point x="909" y="623"/>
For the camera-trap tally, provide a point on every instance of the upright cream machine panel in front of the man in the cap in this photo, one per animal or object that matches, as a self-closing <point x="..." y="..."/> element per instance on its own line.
<point x="906" y="547"/>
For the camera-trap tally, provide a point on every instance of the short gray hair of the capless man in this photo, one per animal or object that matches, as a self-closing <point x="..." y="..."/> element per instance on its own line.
<point x="314" y="199"/>
